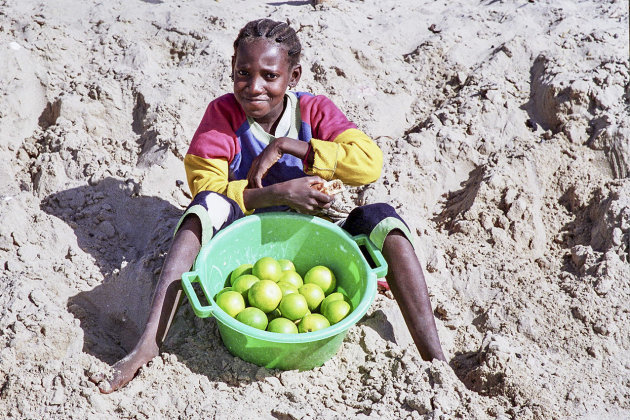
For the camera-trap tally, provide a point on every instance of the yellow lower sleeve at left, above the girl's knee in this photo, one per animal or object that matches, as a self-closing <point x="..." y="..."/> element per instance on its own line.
<point x="212" y="175"/>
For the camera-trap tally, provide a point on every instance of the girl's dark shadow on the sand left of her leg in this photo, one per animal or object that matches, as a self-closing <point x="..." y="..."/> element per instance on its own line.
<point x="126" y="235"/>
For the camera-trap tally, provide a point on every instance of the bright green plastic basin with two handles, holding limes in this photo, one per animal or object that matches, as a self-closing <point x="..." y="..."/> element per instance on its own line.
<point x="305" y="240"/>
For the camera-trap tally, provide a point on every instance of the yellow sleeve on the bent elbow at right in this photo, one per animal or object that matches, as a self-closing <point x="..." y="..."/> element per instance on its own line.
<point x="351" y="157"/>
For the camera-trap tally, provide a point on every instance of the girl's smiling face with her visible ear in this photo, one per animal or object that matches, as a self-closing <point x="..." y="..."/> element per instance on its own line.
<point x="262" y="74"/>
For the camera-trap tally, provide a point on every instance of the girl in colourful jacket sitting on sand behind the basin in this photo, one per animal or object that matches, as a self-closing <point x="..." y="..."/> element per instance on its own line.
<point x="264" y="147"/>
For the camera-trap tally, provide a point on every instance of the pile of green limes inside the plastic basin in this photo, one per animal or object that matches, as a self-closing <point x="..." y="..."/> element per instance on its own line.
<point x="270" y="295"/>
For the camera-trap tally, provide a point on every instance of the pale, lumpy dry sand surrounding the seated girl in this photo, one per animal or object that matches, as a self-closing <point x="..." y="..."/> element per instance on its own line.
<point x="506" y="133"/>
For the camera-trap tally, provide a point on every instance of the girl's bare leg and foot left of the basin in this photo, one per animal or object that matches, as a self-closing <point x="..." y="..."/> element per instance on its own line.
<point x="166" y="299"/>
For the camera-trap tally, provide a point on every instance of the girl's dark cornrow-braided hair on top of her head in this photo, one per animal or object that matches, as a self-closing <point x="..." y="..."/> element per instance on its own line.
<point x="279" y="32"/>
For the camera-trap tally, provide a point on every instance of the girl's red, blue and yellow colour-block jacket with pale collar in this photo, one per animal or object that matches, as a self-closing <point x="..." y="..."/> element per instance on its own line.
<point x="227" y="141"/>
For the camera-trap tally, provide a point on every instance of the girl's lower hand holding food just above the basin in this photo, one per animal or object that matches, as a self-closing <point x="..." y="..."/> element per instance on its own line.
<point x="300" y="195"/>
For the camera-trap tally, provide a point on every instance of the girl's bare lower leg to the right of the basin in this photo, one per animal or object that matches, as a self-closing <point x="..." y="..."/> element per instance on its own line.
<point x="406" y="281"/>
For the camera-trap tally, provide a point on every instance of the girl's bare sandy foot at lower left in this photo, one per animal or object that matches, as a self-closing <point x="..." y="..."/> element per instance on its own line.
<point x="125" y="369"/>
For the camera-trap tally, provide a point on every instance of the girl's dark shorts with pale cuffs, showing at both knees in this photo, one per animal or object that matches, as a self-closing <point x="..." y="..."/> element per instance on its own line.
<point x="216" y="212"/>
